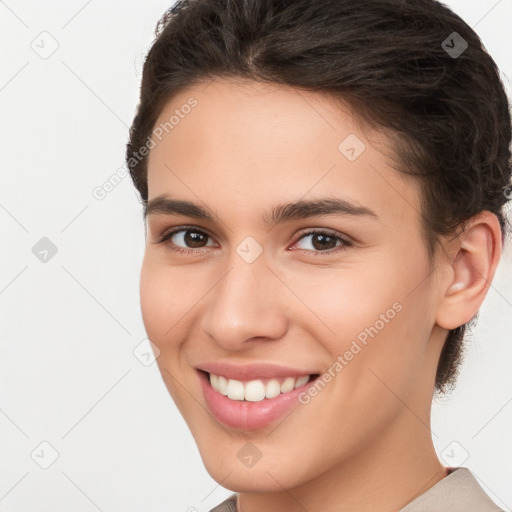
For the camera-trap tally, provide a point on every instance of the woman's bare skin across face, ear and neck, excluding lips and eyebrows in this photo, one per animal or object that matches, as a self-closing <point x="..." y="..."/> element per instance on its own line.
<point x="364" y="442"/>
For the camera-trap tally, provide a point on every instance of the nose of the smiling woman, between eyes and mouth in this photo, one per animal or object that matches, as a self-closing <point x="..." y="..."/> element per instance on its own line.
<point x="247" y="303"/>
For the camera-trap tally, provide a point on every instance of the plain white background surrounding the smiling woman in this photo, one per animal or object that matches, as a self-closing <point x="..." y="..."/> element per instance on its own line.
<point x="69" y="326"/>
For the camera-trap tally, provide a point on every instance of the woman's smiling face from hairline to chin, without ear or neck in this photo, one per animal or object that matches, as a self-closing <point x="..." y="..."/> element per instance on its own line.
<point x="336" y="286"/>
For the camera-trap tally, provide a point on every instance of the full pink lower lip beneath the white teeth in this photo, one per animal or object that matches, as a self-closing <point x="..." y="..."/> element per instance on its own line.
<point x="245" y="415"/>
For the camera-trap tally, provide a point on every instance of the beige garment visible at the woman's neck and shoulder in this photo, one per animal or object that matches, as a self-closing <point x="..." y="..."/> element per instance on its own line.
<point x="457" y="492"/>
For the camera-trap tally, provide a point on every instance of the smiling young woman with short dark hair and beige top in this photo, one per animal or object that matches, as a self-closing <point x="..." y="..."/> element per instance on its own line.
<point x="323" y="184"/>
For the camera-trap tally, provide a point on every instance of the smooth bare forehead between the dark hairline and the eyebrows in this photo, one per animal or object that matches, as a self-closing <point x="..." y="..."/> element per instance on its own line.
<point x="255" y="144"/>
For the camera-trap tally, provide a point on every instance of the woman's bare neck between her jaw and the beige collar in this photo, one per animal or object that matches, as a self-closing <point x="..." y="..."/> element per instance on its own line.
<point x="385" y="475"/>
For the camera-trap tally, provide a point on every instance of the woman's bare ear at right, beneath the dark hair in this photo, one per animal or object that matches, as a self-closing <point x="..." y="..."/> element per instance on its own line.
<point x="469" y="265"/>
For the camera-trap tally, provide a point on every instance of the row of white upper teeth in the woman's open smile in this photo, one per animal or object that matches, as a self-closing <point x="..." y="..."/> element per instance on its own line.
<point x="254" y="390"/>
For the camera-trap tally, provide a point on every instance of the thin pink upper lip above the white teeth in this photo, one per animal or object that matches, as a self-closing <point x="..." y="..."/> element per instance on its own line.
<point x="252" y="371"/>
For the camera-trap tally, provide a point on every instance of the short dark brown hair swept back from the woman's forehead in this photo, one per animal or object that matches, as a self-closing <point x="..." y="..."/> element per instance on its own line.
<point x="401" y="66"/>
